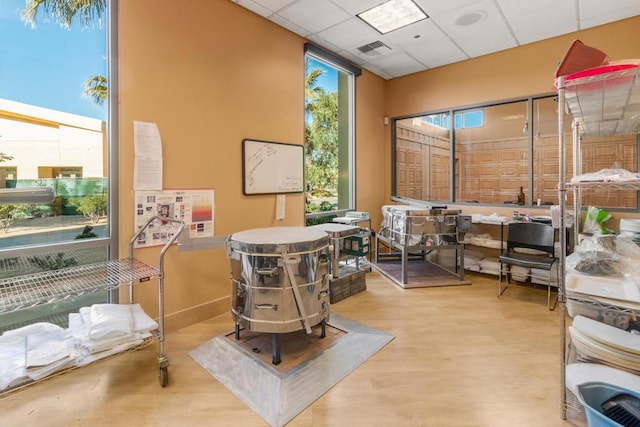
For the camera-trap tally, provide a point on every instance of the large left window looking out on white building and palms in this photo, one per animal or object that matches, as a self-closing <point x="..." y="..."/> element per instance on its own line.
<point x="55" y="130"/>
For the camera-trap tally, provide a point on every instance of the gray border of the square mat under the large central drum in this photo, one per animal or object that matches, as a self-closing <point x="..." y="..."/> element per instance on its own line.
<point x="279" y="395"/>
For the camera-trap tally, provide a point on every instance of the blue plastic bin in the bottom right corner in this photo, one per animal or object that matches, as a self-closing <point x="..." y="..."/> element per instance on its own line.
<point x="592" y="395"/>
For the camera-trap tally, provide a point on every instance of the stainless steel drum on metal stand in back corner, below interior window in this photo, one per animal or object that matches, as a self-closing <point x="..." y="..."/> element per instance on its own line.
<point x="412" y="226"/>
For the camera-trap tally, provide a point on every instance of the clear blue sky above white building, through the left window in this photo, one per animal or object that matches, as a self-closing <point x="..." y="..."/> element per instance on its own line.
<point x="48" y="65"/>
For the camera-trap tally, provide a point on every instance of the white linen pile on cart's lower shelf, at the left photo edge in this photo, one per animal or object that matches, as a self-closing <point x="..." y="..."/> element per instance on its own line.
<point x="32" y="352"/>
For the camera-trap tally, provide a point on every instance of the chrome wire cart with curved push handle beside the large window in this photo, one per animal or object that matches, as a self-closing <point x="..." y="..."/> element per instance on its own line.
<point x="22" y="292"/>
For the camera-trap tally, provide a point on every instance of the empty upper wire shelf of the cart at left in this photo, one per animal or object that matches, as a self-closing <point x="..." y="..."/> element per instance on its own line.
<point x="27" y="291"/>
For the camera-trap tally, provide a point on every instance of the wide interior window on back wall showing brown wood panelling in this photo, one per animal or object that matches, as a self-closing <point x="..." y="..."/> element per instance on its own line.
<point x="495" y="149"/>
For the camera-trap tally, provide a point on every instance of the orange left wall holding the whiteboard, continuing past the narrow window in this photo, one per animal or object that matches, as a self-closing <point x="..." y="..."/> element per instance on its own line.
<point x="210" y="75"/>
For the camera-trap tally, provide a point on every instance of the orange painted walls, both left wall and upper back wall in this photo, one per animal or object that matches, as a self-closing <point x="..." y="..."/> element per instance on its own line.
<point x="214" y="73"/>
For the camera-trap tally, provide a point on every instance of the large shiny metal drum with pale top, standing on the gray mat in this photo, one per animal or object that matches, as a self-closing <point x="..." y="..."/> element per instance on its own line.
<point x="279" y="278"/>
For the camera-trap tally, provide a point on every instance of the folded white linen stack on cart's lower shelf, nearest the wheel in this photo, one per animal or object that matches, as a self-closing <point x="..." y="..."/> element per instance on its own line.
<point x="105" y="329"/>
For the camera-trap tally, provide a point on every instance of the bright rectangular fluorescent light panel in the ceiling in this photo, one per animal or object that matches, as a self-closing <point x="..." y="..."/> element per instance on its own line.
<point x="392" y="15"/>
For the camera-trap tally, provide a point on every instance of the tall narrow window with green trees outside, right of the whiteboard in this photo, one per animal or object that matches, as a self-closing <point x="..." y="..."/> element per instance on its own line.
<point x="329" y="134"/>
